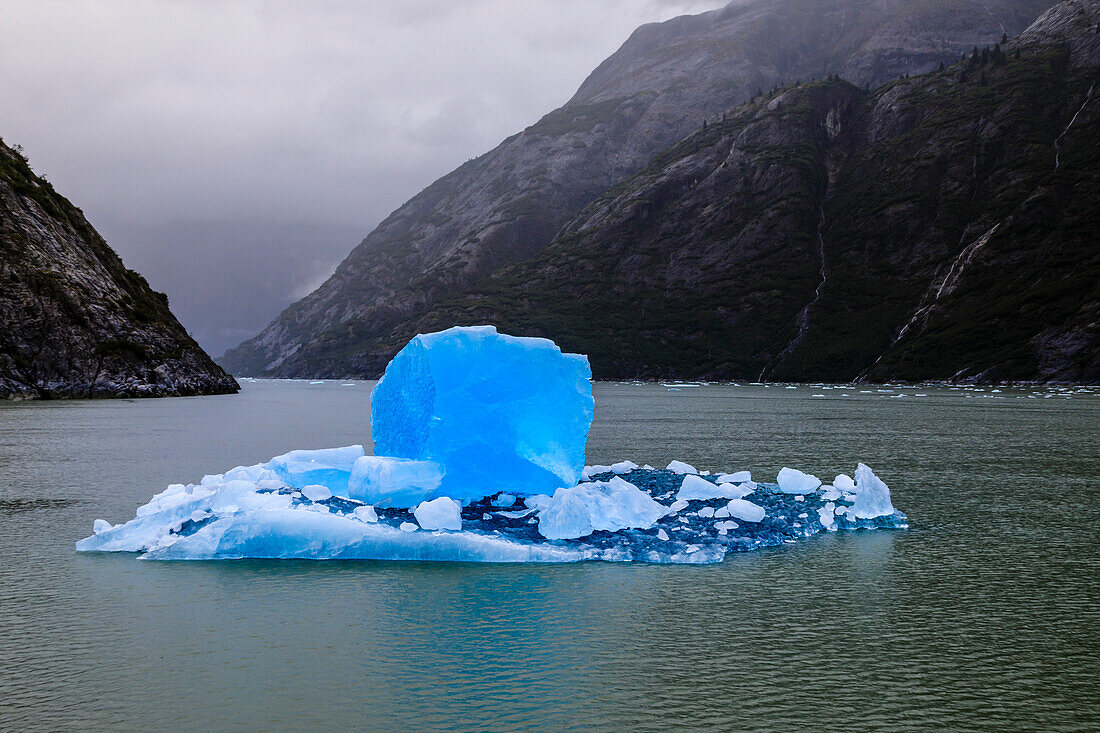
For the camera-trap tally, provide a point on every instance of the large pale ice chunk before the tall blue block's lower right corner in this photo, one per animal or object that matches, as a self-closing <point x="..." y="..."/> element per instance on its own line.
<point x="610" y="506"/>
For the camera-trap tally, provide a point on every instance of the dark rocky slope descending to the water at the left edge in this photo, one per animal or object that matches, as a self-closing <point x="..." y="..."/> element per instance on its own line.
<point x="74" y="321"/>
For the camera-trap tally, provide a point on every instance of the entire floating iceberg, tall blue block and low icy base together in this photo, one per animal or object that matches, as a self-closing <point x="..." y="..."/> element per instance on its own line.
<point x="486" y="437"/>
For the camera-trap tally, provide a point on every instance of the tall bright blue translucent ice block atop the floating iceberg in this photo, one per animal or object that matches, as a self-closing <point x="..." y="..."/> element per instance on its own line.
<point x="498" y="412"/>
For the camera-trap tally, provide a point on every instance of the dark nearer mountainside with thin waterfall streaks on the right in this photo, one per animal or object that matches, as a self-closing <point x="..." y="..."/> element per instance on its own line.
<point x="941" y="227"/>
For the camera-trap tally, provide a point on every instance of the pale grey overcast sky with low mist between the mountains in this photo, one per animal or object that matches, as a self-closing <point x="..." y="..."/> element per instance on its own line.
<point x="246" y="115"/>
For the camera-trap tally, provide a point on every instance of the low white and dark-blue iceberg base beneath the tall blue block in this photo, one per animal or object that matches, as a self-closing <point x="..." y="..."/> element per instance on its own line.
<point x="615" y="521"/>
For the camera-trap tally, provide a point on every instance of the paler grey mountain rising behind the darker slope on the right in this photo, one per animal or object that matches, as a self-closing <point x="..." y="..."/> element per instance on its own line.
<point x="667" y="80"/>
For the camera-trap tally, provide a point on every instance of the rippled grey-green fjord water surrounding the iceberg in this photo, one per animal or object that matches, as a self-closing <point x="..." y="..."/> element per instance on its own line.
<point x="983" y="616"/>
